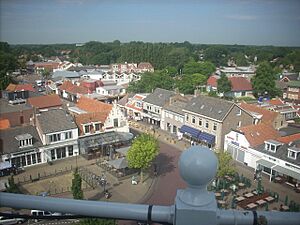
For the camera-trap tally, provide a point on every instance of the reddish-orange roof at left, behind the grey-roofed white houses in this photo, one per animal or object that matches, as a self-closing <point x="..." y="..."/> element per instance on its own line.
<point x="47" y="101"/>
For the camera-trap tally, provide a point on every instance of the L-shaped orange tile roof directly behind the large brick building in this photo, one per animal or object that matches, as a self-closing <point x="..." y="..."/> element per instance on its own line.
<point x="267" y="115"/>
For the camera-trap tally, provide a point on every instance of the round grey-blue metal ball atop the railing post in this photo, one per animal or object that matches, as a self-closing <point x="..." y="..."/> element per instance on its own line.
<point x="198" y="166"/>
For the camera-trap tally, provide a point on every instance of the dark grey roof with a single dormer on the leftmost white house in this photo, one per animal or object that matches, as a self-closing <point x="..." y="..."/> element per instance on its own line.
<point x="10" y="144"/>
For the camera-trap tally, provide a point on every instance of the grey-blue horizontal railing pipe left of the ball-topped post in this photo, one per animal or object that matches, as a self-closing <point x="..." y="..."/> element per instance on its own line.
<point x="160" y="214"/>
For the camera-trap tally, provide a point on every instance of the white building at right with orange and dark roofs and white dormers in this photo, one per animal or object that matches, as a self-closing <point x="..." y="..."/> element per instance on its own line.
<point x="261" y="148"/>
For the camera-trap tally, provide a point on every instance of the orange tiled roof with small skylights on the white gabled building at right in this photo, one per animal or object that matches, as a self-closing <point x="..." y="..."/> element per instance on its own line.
<point x="256" y="134"/>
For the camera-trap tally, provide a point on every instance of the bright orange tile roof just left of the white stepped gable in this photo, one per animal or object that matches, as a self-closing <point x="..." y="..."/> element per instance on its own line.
<point x="91" y="105"/>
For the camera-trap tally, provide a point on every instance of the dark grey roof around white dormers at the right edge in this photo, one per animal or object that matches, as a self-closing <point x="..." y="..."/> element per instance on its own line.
<point x="282" y="152"/>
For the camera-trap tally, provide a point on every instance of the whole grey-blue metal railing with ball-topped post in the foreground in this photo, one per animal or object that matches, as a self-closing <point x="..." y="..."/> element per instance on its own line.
<point x="193" y="205"/>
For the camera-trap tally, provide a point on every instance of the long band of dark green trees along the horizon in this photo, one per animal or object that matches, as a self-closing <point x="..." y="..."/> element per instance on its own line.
<point x="162" y="55"/>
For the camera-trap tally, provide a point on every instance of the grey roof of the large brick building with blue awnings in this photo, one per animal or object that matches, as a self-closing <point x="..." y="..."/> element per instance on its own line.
<point x="209" y="106"/>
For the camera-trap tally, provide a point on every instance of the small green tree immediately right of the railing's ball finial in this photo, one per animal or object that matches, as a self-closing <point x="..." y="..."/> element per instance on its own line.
<point x="225" y="165"/>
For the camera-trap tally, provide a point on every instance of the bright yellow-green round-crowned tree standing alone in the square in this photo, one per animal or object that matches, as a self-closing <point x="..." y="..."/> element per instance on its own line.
<point x="142" y="152"/>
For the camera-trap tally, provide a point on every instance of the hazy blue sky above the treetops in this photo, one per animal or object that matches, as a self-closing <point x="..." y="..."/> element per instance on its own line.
<point x="246" y="22"/>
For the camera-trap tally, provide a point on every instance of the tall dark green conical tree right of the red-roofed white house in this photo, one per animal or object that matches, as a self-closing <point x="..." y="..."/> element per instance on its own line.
<point x="264" y="81"/>
